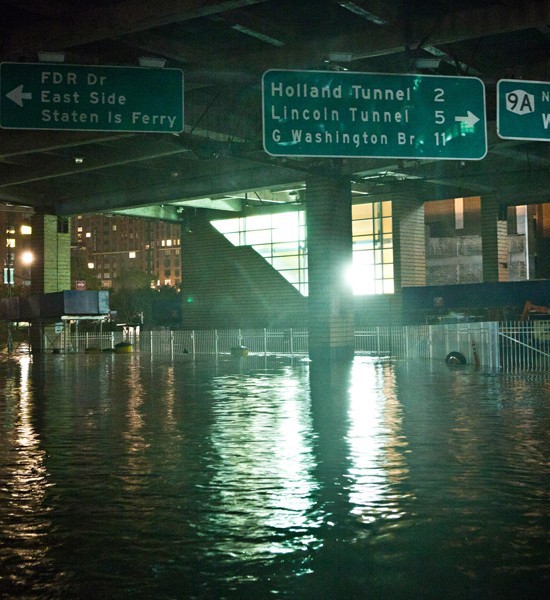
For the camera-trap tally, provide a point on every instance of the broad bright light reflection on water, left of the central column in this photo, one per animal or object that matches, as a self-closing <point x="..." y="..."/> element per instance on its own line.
<point x="266" y="443"/>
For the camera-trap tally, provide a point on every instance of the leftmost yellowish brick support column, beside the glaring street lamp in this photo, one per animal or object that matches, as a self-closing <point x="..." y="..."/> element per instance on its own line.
<point x="51" y="267"/>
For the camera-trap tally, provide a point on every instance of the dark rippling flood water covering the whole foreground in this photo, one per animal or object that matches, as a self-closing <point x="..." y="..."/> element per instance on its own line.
<point x="123" y="476"/>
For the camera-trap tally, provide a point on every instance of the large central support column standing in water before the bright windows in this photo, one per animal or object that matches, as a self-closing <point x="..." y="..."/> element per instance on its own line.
<point x="330" y="307"/>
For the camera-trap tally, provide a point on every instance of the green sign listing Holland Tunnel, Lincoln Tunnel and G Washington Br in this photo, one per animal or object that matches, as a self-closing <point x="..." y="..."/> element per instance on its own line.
<point x="344" y="114"/>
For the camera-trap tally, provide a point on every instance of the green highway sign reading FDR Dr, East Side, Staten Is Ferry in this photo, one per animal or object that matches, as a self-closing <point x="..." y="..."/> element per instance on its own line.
<point x="90" y="98"/>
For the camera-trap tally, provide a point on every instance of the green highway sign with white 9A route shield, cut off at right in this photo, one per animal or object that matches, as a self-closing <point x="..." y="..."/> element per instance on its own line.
<point x="523" y="110"/>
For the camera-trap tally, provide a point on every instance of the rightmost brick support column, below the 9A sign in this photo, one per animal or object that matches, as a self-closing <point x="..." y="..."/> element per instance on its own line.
<point x="494" y="241"/>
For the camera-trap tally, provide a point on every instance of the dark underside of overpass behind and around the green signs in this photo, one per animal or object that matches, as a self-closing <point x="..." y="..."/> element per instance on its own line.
<point x="223" y="47"/>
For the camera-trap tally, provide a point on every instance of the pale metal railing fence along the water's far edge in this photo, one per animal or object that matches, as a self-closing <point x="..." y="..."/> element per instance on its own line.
<point x="508" y="346"/>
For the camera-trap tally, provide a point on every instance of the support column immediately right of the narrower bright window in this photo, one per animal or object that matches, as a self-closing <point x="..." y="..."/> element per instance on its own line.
<point x="409" y="245"/>
